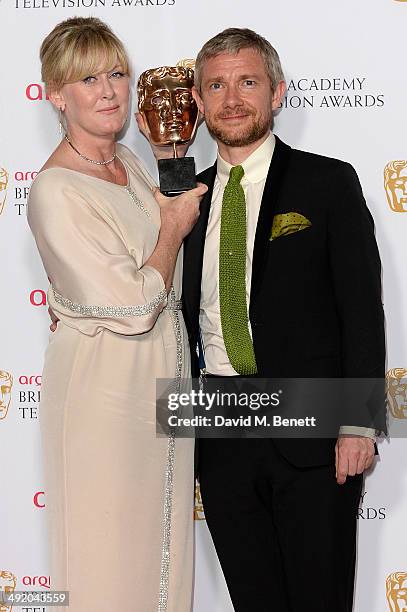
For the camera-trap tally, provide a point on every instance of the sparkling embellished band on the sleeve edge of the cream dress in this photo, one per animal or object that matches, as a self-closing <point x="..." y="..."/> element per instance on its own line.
<point x="111" y="311"/>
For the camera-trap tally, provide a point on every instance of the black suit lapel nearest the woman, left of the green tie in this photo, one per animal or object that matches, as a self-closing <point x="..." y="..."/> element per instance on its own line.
<point x="194" y="250"/>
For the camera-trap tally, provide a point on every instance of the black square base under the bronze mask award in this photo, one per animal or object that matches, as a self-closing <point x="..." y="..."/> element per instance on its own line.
<point x="176" y="175"/>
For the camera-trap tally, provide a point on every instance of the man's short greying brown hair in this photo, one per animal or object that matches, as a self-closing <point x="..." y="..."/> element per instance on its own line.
<point x="232" y="41"/>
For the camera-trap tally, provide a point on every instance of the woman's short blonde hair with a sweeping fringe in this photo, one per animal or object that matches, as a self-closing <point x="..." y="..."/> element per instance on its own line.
<point x="79" y="47"/>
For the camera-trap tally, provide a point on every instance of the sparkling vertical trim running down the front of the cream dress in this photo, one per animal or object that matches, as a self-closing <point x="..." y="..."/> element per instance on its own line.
<point x="173" y="305"/>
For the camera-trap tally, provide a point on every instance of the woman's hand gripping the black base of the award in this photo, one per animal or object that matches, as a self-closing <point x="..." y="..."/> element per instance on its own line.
<point x="179" y="214"/>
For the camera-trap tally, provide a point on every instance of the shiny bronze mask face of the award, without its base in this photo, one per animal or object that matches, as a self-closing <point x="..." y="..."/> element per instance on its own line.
<point x="170" y="111"/>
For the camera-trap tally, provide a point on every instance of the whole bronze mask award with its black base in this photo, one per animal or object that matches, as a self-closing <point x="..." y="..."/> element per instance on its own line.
<point x="171" y="115"/>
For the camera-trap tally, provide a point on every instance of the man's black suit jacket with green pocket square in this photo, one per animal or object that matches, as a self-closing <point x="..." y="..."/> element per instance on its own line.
<point x="315" y="305"/>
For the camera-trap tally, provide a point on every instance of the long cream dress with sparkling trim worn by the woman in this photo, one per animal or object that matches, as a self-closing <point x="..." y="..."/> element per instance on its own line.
<point x="119" y="500"/>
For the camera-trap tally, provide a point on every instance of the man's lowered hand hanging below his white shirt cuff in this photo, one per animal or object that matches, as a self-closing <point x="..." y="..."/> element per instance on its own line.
<point x="353" y="455"/>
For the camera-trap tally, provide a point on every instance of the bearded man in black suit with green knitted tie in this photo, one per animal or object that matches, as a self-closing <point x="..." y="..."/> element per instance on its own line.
<point x="282" y="512"/>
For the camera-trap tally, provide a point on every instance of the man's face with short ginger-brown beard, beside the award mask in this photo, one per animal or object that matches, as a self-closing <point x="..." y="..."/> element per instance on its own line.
<point x="236" y="97"/>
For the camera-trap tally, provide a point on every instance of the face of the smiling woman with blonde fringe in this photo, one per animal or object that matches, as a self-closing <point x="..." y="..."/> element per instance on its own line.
<point x="98" y="104"/>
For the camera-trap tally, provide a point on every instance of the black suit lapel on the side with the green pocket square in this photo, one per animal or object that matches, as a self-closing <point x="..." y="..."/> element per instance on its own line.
<point x="267" y="211"/>
